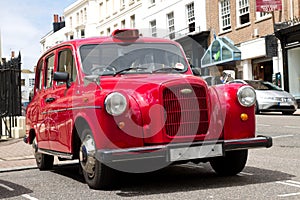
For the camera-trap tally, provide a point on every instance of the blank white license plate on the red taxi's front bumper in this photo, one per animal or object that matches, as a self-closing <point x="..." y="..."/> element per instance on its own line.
<point x="187" y="153"/>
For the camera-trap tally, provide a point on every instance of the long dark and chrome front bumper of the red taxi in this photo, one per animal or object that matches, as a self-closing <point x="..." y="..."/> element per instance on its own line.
<point x="182" y="151"/>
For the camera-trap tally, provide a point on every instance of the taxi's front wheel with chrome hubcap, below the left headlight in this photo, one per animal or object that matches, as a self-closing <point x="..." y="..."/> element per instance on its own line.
<point x="97" y="175"/>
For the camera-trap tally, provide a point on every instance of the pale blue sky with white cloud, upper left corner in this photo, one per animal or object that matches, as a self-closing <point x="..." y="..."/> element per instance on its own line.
<point x="22" y="25"/>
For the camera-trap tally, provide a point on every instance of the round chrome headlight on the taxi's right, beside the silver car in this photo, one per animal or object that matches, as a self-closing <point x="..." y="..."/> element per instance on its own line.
<point x="246" y="96"/>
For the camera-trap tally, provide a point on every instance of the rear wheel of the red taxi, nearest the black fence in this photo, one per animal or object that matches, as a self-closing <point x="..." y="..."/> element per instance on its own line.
<point x="43" y="161"/>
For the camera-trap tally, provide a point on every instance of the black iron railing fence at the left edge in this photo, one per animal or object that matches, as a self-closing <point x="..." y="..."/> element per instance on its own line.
<point x="10" y="94"/>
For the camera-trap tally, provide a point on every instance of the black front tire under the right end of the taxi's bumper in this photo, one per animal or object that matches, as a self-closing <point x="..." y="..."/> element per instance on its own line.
<point x="231" y="164"/>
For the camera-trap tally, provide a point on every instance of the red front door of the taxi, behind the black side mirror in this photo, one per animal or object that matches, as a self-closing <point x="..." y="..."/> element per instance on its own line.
<point x="59" y="106"/>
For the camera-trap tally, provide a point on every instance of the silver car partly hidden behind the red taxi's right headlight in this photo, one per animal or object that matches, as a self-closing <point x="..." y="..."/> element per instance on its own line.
<point x="271" y="98"/>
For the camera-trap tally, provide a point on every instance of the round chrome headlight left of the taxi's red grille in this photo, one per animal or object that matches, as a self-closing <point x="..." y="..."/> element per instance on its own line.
<point x="115" y="103"/>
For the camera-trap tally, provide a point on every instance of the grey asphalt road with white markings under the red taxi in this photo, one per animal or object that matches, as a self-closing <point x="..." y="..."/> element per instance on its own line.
<point x="270" y="174"/>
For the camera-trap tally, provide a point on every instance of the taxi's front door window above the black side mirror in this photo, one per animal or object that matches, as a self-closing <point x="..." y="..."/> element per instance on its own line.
<point x="66" y="63"/>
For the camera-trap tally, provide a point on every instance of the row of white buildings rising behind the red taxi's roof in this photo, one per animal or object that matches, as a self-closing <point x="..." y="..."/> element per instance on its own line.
<point x="180" y="20"/>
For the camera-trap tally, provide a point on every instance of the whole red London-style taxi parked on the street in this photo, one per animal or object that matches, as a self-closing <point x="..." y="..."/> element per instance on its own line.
<point x="131" y="103"/>
